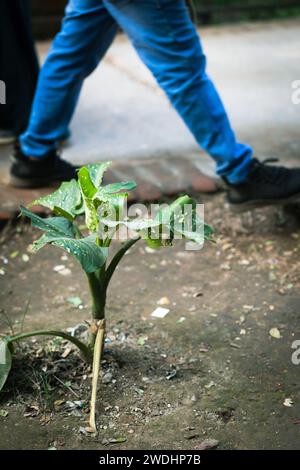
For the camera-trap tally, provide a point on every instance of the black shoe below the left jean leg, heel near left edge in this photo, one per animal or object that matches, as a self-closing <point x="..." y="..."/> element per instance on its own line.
<point x="36" y="173"/>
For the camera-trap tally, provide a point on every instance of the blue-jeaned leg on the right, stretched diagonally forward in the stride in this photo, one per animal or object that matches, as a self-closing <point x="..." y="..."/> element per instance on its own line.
<point x="167" y="42"/>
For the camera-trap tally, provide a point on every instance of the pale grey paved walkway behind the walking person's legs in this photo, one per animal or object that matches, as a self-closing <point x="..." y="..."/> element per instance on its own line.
<point x="123" y="116"/>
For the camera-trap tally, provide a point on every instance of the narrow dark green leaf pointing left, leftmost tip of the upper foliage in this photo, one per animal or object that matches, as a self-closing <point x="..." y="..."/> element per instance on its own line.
<point x="55" y="226"/>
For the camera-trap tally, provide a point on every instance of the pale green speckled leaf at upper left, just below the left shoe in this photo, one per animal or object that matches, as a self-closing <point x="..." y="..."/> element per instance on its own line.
<point x="66" y="201"/>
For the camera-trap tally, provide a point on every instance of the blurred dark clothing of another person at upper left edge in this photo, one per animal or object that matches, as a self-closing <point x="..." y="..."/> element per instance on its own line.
<point x="18" y="64"/>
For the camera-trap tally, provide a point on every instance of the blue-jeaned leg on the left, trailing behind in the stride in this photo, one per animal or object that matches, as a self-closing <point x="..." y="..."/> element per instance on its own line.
<point x="87" y="32"/>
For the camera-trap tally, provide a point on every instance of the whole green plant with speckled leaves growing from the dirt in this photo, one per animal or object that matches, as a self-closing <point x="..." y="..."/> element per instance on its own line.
<point x="104" y="210"/>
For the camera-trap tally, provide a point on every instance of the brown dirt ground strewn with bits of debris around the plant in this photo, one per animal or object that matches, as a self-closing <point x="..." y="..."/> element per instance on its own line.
<point x="218" y="366"/>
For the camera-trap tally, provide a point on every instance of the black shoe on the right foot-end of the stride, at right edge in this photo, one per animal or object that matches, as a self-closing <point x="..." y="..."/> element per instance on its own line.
<point x="266" y="185"/>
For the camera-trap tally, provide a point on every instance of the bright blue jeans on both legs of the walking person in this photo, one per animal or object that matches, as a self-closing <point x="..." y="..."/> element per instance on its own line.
<point x="168" y="44"/>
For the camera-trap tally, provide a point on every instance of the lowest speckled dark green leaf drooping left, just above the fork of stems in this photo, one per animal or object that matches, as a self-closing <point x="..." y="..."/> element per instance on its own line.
<point x="91" y="256"/>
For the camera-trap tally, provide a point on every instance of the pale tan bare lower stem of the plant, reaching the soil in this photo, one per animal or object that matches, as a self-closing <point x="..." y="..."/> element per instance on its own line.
<point x="96" y="368"/>
